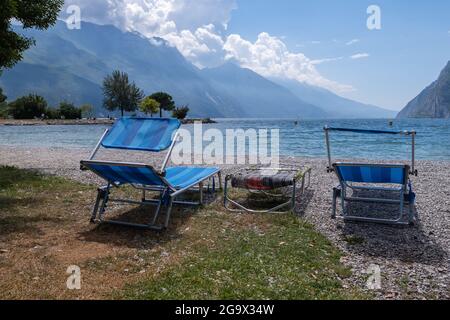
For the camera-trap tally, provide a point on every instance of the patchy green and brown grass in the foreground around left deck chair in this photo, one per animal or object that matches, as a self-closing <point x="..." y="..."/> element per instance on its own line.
<point x="208" y="253"/>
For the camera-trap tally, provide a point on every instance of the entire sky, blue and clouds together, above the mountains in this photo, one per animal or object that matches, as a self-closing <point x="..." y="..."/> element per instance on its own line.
<point x="309" y="41"/>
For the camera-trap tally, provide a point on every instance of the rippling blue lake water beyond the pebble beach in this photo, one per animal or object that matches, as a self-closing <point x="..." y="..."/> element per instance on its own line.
<point x="304" y="139"/>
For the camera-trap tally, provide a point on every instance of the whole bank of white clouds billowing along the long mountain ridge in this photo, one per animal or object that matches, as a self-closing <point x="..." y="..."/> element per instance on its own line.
<point x="197" y="28"/>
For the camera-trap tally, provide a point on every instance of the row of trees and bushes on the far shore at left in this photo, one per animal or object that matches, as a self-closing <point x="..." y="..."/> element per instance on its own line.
<point x="33" y="109"/>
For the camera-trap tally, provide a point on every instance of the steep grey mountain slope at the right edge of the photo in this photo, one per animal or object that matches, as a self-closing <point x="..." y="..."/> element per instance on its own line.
<point x="433" y="101"/>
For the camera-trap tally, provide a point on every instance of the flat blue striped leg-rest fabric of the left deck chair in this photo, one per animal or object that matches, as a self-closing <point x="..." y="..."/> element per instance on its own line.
<point x="182" y="177"/>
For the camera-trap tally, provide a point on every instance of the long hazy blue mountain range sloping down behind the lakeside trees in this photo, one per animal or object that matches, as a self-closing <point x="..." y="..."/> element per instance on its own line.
<point x="71" y="65"/>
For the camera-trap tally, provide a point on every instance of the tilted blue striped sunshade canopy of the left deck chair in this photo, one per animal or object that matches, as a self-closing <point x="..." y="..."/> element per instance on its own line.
<point x="144" y="134"/>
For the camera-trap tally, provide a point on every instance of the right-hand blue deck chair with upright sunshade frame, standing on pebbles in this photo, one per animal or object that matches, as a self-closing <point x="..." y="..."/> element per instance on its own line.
<point x="367" y="177"/>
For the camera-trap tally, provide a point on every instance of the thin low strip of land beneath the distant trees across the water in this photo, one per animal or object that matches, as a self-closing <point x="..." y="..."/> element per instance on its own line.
<point x="100" y="121"/>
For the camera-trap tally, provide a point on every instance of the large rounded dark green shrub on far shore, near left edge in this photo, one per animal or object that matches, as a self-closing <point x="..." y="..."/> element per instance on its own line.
<point x="28" y="107"/>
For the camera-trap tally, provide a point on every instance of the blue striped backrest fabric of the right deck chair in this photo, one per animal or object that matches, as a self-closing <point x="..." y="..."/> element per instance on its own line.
<point x="372" y="174"/>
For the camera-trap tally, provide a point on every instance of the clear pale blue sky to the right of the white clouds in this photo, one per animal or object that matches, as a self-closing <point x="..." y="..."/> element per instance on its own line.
<point x="406" y="55"/>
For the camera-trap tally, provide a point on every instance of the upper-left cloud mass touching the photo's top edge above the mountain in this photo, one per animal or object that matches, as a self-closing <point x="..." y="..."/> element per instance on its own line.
<point x="194" y="27"/>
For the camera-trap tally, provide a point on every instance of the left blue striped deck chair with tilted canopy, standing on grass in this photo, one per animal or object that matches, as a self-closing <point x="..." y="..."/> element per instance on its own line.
<point x="152" y="135"/>
